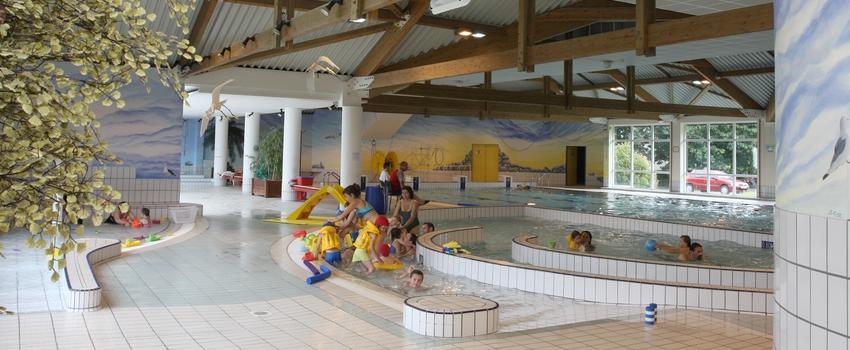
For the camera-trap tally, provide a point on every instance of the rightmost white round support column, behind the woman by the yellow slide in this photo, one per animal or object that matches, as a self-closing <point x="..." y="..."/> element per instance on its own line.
<point x="352" y="126"/>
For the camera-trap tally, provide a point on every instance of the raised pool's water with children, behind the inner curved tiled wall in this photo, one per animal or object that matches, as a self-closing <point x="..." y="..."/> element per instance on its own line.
<point x="499" y="233"/>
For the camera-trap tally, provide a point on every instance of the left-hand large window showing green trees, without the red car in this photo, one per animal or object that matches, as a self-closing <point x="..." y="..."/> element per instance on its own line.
<point x="642" y="157"/>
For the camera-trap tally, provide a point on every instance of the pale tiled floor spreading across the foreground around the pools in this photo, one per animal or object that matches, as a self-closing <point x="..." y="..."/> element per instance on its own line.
<point x="203" y="293"/>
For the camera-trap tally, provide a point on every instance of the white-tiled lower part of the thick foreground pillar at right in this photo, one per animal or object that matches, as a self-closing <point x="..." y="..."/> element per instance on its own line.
<point x="812" y="281"/>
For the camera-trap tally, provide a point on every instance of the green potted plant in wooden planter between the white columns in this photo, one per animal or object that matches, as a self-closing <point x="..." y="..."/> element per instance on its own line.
<point x="268" y="166"/>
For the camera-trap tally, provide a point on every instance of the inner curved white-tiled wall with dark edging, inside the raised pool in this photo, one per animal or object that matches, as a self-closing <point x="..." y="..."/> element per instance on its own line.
<point x="525" y="249"/>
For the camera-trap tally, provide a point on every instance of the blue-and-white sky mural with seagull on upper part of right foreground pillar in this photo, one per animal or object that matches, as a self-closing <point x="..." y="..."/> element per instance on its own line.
<point x="813" y="107"/>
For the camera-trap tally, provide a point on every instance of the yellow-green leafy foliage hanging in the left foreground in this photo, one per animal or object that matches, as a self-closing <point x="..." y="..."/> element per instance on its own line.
<point x="50" y="137"/>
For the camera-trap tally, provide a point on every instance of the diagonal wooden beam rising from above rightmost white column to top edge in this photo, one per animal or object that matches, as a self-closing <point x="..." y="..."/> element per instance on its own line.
<point x="391" y="40"/>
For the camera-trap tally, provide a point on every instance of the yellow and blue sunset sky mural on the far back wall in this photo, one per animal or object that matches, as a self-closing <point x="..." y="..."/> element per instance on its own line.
<point x="445" y="143"/>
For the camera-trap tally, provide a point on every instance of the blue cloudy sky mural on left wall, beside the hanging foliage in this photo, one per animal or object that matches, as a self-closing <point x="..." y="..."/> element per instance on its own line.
<point x="147" y="132"/>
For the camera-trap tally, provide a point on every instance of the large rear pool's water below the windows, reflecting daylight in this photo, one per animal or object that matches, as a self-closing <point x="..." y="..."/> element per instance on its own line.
<point x="736" y="216"/>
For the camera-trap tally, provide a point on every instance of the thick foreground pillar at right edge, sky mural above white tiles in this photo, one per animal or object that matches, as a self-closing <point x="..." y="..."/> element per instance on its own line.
<point x="812" y="269"/>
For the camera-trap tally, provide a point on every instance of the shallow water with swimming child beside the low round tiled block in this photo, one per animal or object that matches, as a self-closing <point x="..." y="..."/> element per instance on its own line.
<point x="518" y="310"/>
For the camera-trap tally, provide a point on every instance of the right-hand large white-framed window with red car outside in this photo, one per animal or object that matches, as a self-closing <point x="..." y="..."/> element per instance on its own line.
<point x="722" y="158"/>
